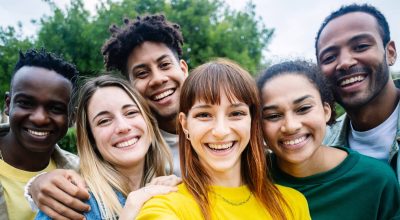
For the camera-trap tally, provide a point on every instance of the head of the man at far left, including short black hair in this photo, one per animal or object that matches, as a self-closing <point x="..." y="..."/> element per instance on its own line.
<point x="38" y="101"/>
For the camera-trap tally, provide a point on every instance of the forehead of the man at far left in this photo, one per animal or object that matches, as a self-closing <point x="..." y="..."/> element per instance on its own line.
<point x="41" y="83"/>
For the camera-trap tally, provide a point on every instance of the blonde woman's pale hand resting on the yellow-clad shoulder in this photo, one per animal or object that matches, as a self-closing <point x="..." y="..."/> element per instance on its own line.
<point x="137" y="198"/>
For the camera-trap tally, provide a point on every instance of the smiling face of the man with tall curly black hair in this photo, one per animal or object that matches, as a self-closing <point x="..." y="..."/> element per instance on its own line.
<point x="156" y="73"/>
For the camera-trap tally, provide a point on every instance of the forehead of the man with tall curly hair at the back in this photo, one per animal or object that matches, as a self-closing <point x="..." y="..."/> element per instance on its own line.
<point x="148" y="52"/>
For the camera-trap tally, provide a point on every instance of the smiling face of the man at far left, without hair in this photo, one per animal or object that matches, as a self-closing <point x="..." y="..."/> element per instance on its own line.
<point x="38" y="108"/>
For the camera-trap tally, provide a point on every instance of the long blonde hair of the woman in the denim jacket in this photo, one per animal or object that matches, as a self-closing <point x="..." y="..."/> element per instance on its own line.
<point x="101" y="176"/>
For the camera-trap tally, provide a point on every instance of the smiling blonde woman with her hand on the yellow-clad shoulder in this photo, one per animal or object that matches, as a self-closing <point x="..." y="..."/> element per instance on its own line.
<point x="120" y="149"/>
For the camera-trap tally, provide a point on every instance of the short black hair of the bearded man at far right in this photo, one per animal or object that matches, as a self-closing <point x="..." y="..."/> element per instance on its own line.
<point x="384" y="30"/>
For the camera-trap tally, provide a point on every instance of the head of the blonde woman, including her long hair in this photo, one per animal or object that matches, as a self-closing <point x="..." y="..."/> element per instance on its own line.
<point x="116" y="136"/>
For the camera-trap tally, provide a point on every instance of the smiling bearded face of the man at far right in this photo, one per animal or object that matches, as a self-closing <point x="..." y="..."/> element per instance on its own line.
<point x="352" y="56"/>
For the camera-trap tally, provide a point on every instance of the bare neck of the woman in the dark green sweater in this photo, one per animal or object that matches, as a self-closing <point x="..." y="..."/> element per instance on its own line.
<point x="324" y="159"/>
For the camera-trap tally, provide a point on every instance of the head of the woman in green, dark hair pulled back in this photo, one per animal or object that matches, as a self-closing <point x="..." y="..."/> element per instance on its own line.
<point x="297" y="106"/>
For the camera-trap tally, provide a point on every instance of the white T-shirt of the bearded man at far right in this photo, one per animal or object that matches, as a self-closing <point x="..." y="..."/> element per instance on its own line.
<point x="378" y="141"/>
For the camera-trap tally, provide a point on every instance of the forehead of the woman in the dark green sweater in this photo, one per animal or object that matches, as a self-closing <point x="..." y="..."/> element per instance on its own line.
<point x="287" y="87"/>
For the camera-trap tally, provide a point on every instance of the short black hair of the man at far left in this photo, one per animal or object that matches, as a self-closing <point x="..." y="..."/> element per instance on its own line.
<point x="47" y="60"/>
